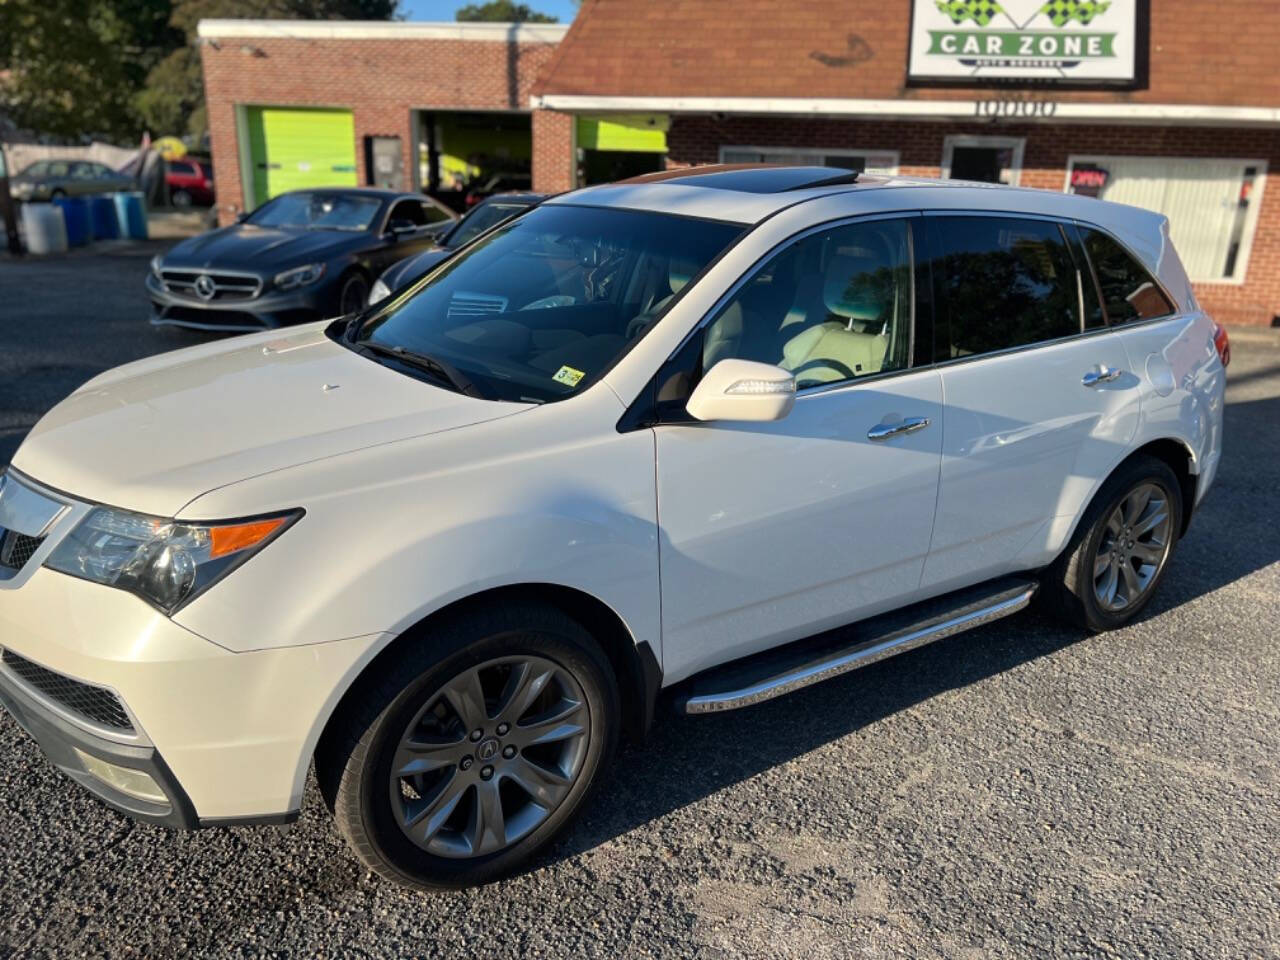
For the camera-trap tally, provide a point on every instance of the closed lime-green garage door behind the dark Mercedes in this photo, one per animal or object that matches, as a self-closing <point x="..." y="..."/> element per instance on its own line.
<point x="294" y="149"/>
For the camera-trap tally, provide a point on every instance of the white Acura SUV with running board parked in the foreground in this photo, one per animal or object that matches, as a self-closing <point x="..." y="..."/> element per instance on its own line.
<point x="719" y="433"/>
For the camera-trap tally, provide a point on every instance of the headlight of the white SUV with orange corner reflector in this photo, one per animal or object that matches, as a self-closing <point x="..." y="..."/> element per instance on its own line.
<point x="166" y="563"/>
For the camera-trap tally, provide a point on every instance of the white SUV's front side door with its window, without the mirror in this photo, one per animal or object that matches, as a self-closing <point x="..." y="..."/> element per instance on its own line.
<point x="775" y="532"/>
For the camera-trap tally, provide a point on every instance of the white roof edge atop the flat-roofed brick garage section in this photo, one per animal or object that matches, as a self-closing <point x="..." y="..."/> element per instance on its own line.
<point x="383" y="30"/>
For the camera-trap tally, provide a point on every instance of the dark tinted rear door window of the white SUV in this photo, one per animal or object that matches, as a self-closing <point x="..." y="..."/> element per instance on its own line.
<point x="1003" y="282"/>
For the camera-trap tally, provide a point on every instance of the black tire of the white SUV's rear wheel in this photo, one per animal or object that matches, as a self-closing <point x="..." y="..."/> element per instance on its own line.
<point x="1069" y="587"/>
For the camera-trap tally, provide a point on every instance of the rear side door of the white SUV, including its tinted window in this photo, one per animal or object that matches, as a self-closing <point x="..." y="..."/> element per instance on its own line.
<point x="1040" y="404"/>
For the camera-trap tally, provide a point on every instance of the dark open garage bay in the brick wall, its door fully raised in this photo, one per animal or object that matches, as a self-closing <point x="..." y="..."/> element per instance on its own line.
<point x="465" y="157"/>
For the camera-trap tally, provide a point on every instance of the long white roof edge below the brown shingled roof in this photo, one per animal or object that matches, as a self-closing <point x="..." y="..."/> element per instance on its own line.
<point x="1126" y="113"/>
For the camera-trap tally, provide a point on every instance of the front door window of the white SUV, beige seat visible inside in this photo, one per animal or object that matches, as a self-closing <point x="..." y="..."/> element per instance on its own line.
<point x="833" y="307"/>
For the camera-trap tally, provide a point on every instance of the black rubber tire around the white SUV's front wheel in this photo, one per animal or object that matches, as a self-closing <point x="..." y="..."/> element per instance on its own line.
<point x="354" y="762"/>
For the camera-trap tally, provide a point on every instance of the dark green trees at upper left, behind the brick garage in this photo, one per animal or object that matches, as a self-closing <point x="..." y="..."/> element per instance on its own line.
<point x="113" y="68"/>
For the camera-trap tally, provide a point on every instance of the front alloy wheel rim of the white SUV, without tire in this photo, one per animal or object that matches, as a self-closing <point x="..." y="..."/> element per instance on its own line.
<point x="490" y="757"/>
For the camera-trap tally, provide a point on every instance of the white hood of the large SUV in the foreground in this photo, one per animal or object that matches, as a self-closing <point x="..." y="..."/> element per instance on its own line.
<point x="156" y="435"/>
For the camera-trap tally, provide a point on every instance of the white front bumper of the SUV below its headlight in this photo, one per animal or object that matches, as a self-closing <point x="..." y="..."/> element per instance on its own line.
<point x="227" y="737"/>
